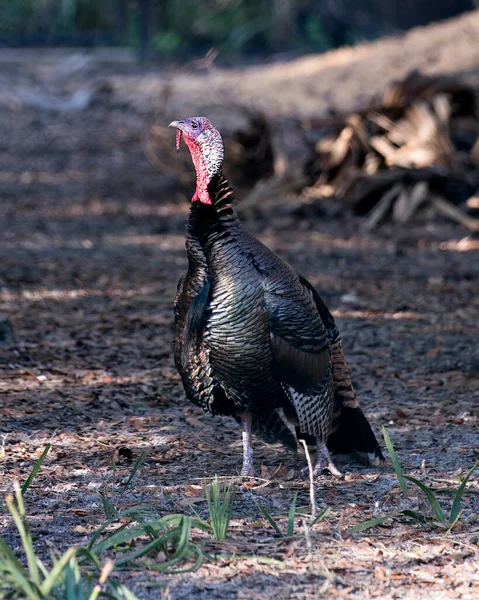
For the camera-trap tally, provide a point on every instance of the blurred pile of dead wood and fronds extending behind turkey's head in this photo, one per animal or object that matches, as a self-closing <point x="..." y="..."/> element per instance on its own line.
<point x="415" y="154"/>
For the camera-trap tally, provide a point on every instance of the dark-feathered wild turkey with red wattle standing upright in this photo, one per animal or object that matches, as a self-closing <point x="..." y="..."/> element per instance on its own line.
<point x="253" y="338"/>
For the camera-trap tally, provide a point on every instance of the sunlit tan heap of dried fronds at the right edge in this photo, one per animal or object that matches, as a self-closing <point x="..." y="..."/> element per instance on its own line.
<point x="418" y="152"/>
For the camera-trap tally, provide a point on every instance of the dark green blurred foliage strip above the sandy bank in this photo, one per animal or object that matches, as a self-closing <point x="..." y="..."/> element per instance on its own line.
<point x="238" y="29"/>
